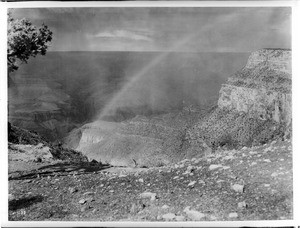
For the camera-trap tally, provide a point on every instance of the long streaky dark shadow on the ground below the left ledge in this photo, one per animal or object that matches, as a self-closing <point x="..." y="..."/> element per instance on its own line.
<point x="59" y="169"/>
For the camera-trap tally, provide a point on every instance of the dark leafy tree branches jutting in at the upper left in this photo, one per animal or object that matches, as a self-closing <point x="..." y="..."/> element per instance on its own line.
<point x="25" y="40"/>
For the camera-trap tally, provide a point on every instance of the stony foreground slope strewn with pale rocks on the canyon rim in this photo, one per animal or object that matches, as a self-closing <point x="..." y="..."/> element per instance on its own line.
<point x="247" y="184"/>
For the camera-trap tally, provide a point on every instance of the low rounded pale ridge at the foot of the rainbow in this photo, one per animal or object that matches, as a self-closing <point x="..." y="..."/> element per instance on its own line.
<point x="141" y="141"/>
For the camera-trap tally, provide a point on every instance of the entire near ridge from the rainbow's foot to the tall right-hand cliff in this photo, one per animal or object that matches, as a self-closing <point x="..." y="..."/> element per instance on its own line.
<point x="254" y="108"/>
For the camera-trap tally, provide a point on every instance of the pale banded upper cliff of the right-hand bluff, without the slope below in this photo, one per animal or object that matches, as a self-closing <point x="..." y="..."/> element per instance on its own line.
<point x="262" y="88"/>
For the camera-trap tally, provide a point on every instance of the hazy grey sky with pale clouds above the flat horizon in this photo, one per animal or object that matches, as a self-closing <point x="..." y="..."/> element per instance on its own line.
<point x="158" y="29"/>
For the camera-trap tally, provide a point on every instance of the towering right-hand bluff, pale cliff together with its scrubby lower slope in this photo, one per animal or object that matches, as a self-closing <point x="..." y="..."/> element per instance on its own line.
<point x="254" y="106"/>
